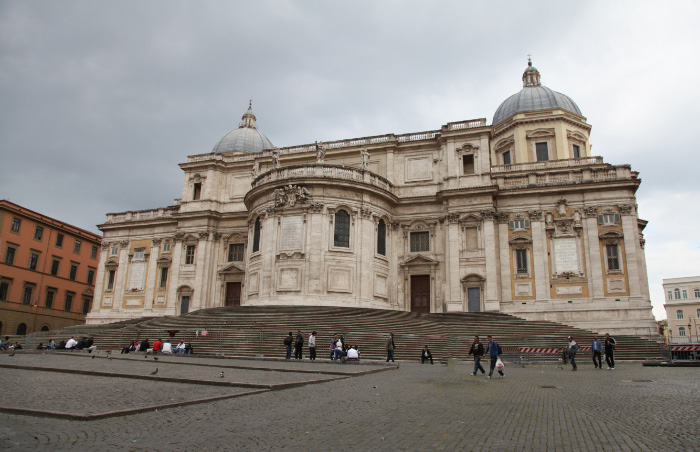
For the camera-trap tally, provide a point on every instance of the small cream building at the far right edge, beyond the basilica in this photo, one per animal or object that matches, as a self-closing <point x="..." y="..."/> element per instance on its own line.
<point x="683" y="309"/>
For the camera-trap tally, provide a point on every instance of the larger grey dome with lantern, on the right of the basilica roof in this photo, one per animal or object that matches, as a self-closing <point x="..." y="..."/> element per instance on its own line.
<point x="534" y="97"/>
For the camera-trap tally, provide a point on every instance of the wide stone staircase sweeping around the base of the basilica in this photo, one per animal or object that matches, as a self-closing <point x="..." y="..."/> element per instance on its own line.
<point x="254" y="331"/>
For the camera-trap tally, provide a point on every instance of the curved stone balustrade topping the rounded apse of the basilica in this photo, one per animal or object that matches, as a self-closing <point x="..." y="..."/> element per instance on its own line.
<point x="322" y="171"/>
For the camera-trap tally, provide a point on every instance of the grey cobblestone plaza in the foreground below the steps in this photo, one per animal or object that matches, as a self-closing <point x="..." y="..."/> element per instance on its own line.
<point x="82" y="404"/>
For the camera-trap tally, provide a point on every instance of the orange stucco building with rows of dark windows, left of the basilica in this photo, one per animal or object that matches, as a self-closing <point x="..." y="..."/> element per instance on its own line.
<point x="47" y="271"/>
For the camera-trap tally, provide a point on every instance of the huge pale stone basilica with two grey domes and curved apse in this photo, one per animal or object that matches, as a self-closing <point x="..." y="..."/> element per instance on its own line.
<point x="515" y="217"/>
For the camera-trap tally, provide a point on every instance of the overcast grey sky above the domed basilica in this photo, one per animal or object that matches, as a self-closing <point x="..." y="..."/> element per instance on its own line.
<point x="99" y="101"/>
